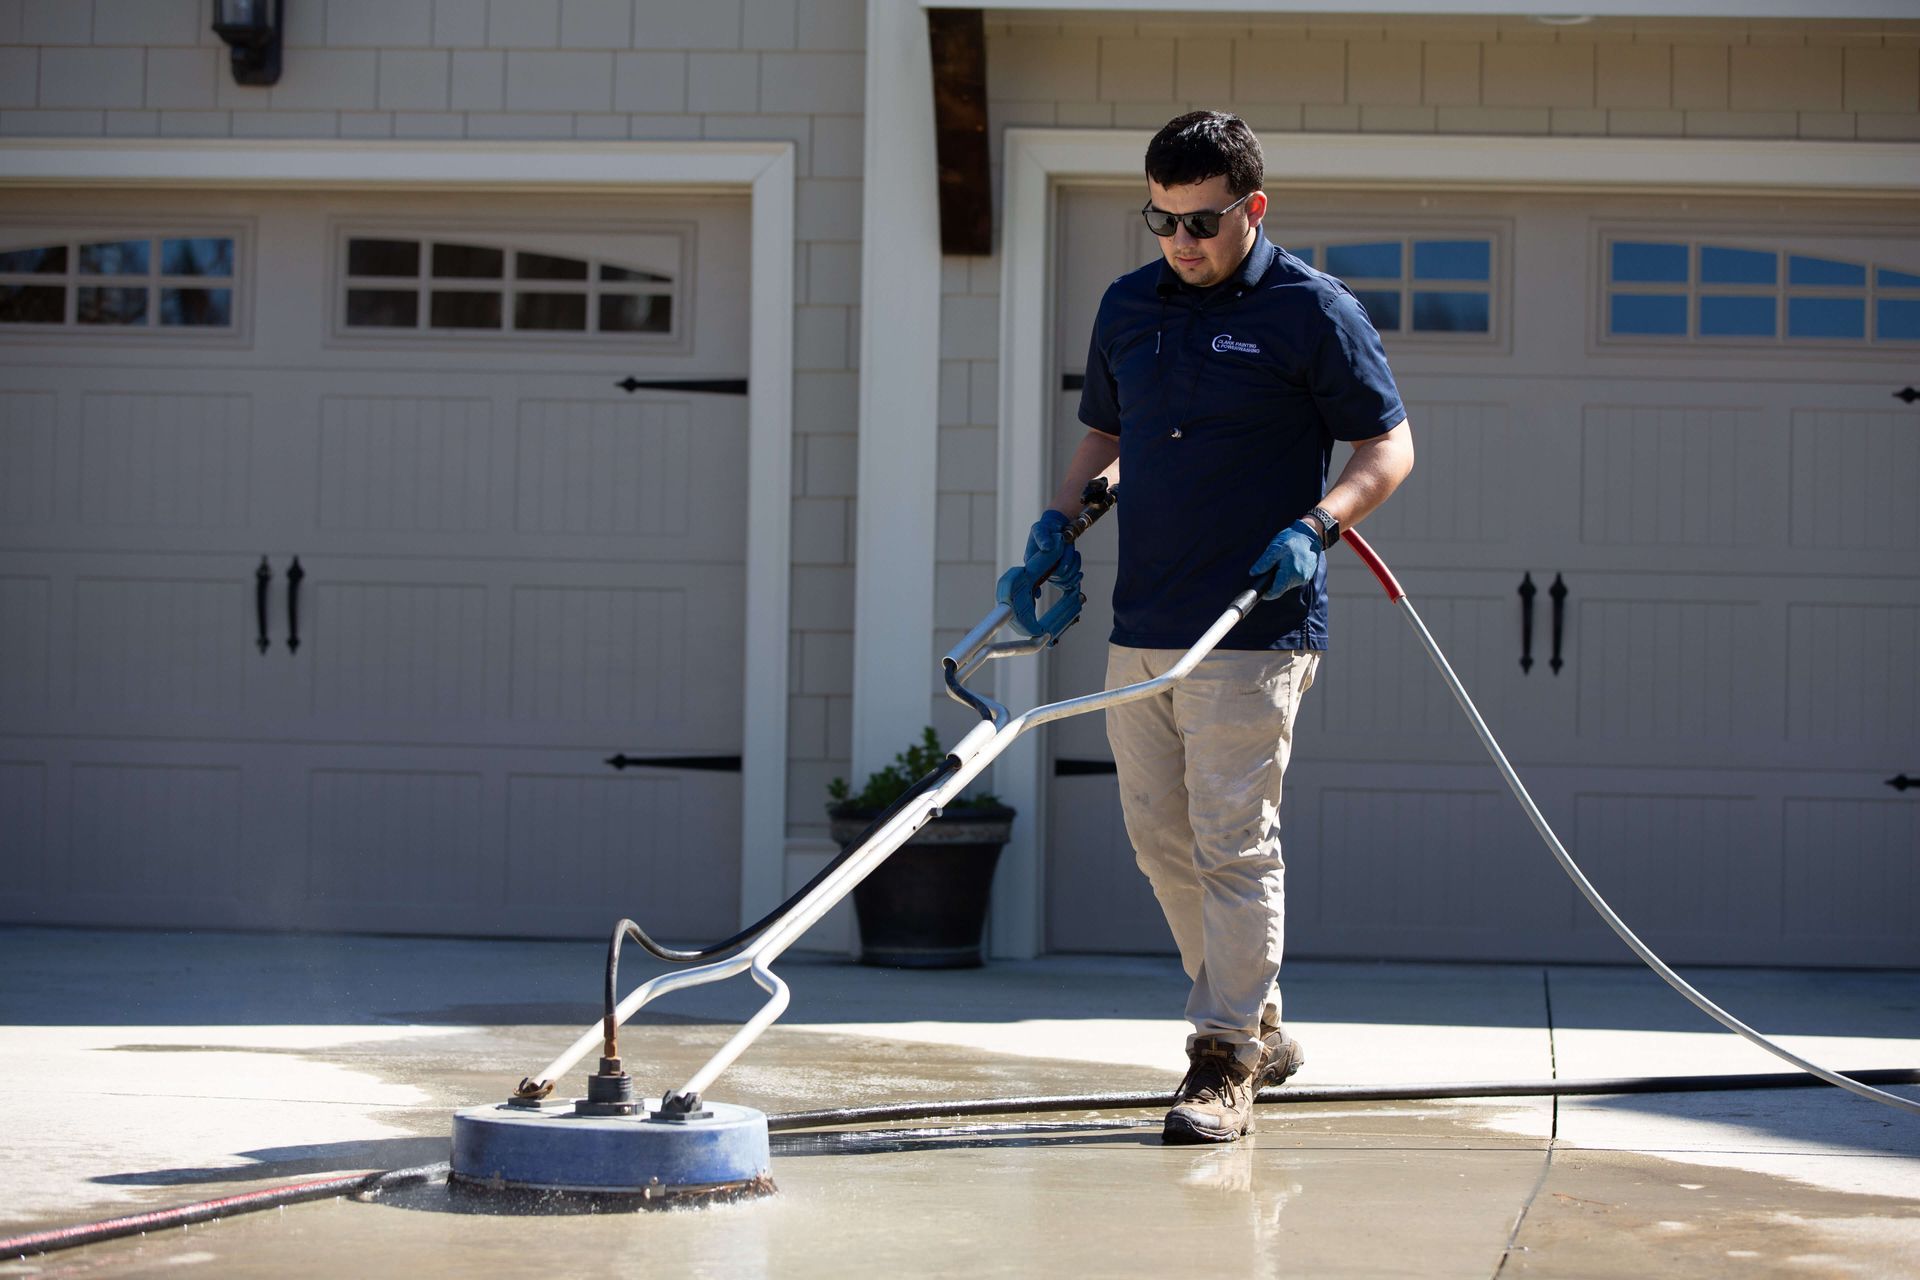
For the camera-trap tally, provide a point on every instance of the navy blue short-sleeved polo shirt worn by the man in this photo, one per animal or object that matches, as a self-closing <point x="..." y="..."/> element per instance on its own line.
<point x="1228" y="404"/>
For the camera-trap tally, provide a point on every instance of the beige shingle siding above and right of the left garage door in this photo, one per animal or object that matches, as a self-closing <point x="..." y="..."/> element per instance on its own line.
<point x="660" y="70"/>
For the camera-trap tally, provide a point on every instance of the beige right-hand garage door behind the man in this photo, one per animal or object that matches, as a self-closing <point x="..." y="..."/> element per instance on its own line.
<point x="1677" y="437"/>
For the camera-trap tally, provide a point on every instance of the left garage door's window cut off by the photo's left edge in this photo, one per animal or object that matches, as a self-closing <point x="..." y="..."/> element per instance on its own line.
<point x="120" y="285"/>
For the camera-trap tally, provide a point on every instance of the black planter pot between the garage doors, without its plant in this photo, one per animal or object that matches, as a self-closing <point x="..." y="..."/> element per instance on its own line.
<point x="926" y="907"/>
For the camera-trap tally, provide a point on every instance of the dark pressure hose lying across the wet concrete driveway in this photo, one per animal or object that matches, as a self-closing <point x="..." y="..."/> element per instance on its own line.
<point x="370" y="1185"/>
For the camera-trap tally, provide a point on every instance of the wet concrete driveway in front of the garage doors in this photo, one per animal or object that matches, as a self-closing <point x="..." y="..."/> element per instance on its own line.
<point x="199" y="1066"/>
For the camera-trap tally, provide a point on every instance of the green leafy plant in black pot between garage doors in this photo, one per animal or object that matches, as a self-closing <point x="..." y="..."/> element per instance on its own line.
<point x="924" y="907"/>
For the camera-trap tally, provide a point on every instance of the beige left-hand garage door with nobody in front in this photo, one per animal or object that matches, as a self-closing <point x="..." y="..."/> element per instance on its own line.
<point x="345" y="540"/>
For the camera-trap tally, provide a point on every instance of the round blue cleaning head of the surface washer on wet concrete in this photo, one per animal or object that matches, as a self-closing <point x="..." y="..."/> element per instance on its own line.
<point x="717" y="1154"/>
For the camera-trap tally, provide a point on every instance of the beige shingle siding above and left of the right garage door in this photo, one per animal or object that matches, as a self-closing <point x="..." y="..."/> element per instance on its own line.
<point x="1472" y="76"/>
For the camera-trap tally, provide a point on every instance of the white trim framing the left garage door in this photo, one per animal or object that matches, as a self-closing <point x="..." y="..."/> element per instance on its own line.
<point x="763" y="170"/>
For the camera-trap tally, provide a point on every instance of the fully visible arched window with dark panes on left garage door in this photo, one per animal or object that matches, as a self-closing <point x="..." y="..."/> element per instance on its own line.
<point x="469" y="291"/>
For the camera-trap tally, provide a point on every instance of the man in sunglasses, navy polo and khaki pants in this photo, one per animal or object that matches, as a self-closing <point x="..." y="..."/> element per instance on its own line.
<point x="1216" y="387"/>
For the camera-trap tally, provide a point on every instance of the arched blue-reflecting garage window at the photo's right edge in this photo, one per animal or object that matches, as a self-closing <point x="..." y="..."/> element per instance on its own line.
<point x="1675" y="291"/>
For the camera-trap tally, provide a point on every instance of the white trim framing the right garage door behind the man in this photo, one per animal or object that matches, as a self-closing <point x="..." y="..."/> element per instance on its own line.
<point x="1038" y="158"/>
